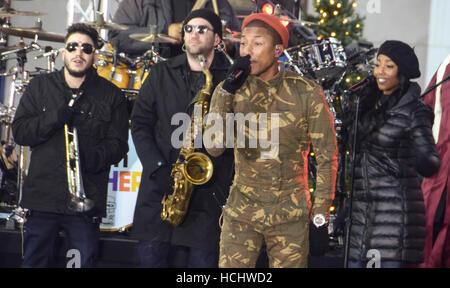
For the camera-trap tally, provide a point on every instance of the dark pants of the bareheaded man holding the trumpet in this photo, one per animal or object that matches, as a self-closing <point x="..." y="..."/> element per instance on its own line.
<point x="42" y="230"/>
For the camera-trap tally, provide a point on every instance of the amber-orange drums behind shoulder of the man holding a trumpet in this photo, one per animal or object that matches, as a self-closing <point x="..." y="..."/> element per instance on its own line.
<point x="105" y="66"/>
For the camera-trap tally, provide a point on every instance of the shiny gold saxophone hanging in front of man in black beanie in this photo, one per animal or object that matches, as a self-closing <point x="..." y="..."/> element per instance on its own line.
<point x="192" y="168"/>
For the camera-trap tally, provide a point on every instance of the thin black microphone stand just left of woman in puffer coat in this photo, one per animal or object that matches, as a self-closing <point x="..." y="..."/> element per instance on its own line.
<point x="352" y="182"/>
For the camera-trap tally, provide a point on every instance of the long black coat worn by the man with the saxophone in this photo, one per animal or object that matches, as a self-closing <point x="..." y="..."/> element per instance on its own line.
<point x="165" y="92"/>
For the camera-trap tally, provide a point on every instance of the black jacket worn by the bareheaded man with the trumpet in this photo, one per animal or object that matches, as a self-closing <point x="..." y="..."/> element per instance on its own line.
<point x="101" y="119"/>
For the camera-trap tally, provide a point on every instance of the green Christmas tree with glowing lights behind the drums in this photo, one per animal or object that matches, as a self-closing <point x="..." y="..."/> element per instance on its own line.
<point x="337" y="19"/>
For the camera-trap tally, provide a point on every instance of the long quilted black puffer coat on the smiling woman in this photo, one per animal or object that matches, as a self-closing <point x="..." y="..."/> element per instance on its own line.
<point x="388" y="208"/>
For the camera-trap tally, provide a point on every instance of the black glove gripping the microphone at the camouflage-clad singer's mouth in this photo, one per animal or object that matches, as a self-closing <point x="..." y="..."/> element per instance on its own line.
<point x="237" y="74"/>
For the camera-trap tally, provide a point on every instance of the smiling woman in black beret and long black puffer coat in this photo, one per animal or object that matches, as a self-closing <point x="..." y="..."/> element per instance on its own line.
<point x="394" y="145"/>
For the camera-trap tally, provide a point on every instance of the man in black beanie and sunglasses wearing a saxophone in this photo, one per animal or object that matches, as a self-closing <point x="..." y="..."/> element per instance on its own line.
<point x="168" y="92"/>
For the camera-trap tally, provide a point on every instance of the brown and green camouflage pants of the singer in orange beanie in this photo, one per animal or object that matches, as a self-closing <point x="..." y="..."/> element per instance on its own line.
<point x="282" y="224"/>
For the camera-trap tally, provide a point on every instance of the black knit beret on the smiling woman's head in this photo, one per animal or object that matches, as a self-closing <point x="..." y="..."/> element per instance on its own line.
<point x="403" y="55"/>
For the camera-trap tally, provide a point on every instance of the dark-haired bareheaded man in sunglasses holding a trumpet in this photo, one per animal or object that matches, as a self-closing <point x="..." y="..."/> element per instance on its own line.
<point x="76" y="124"/>
